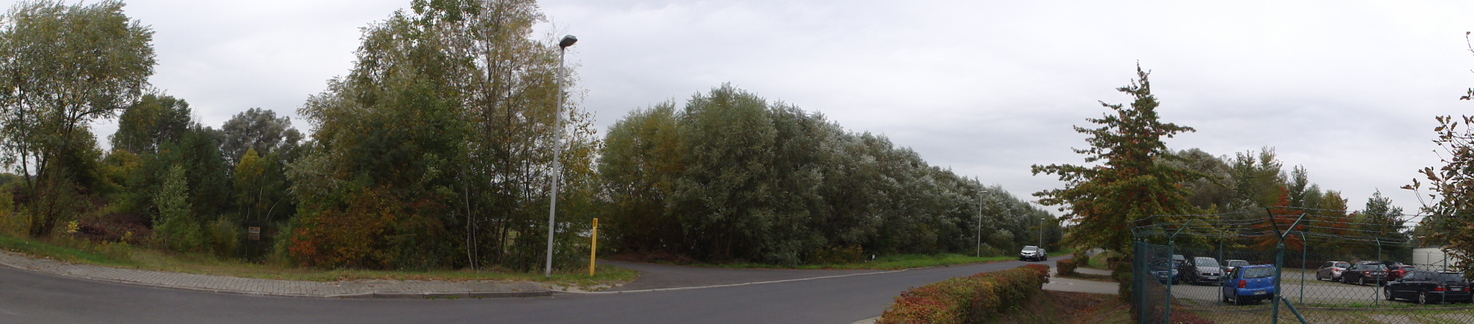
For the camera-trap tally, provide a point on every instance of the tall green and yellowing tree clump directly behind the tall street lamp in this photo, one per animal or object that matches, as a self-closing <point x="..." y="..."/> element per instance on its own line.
<point x="436" y="151"/>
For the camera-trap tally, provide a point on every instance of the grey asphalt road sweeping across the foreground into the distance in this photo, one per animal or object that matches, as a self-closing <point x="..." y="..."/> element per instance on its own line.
<point x="38" y="298"/>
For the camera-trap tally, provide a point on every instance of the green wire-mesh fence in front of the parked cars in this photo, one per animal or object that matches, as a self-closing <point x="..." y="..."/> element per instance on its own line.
<point x="1293" y="266"/>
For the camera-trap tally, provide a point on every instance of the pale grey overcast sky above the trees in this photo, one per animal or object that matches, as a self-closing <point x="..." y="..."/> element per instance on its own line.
<point x="988" y="89"/>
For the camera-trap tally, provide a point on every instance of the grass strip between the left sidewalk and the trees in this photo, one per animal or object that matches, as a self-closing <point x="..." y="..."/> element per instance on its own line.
<point x="142" y="258"/>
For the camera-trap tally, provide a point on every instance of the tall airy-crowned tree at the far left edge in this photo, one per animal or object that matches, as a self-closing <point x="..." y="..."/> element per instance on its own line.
<point x="61" y="68"/>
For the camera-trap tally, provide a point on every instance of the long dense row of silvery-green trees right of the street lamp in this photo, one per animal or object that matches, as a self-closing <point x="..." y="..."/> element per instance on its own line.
<point x="735" y="177"/>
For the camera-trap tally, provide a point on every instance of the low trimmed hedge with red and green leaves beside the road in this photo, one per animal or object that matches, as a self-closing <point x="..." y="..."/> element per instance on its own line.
<point x="968" y="300"/>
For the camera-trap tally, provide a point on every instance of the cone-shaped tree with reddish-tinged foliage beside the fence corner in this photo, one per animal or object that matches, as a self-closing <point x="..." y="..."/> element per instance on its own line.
<point x="1130" y="182"/>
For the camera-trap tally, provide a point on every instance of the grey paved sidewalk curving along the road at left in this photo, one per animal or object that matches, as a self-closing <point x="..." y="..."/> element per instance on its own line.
<point x="279" y="288"/>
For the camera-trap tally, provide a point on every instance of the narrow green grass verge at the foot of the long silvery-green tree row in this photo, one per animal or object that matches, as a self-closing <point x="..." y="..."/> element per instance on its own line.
<point x="881" y="263"/>
